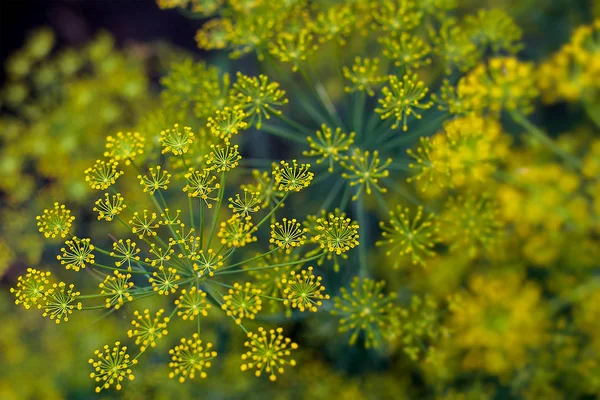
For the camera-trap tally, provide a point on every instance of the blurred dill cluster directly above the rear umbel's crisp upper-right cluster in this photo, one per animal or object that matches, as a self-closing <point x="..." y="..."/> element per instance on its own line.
<point x="404" y="49"/>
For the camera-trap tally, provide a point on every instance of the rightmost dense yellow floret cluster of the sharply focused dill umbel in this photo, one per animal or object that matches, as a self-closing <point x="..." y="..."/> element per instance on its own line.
<point x="336" y="233"/>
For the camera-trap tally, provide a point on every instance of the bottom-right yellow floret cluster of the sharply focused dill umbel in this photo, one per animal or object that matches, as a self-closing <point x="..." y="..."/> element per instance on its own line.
<point x="268" y="352"/>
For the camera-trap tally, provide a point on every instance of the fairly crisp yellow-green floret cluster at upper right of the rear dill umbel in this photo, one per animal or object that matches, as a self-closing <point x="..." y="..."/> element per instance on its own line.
<point x="402" y="99"/>
